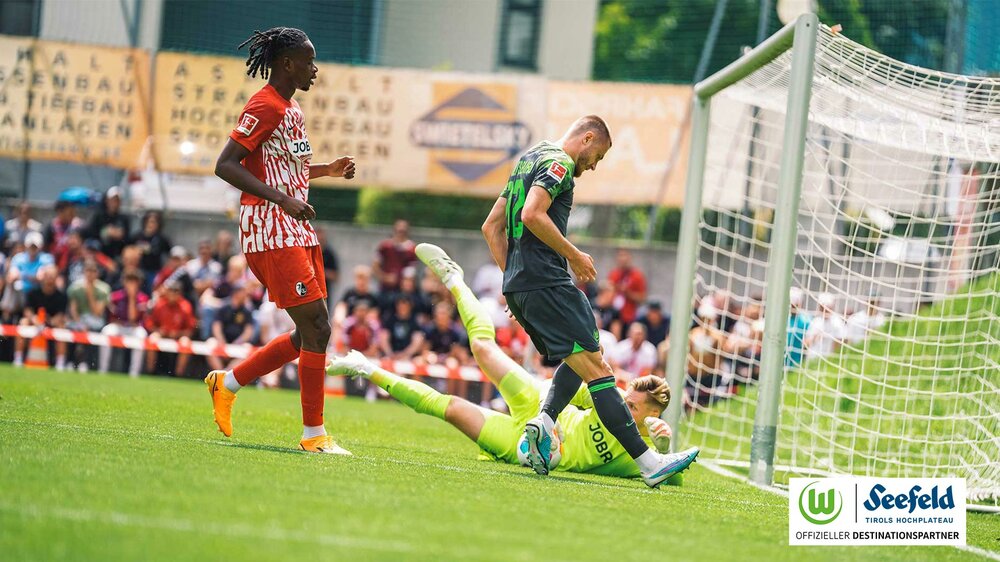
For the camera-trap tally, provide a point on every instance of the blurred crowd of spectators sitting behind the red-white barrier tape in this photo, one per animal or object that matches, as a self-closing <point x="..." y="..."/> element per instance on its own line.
<point x="101" y="275"/>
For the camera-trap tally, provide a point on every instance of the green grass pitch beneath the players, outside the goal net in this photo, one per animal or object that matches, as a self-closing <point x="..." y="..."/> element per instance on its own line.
<point x="111" y="468"/>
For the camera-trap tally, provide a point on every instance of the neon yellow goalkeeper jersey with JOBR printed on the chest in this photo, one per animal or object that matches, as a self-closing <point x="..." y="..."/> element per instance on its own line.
<point x="587" y="445"/>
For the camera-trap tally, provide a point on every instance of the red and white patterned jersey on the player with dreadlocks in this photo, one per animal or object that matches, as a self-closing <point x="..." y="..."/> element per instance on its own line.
<point x="273" y="129"/>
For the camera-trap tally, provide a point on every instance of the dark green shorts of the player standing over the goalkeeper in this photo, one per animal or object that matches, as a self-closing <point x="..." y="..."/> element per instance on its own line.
<point x="559" y="320"/>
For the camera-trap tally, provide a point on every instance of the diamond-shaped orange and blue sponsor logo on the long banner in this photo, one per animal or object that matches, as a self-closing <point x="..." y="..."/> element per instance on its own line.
<point x="471" y="133"/>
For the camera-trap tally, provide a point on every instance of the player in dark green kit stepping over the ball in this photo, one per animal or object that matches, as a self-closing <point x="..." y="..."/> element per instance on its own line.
<point x="526" y="234"/>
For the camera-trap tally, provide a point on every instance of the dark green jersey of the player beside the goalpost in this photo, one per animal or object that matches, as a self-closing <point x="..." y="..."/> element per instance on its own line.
<point x="531" y="264"/>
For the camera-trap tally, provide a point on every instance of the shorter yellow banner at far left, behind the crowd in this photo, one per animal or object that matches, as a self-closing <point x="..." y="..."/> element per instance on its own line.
<point x="80" y="103"/>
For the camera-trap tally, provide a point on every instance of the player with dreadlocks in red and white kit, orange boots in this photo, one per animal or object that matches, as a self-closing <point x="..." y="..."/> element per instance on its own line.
<point x="268" y="158"/>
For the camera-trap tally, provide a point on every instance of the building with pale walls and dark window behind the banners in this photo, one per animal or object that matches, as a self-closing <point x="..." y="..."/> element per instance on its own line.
<point x="552" y="38"/>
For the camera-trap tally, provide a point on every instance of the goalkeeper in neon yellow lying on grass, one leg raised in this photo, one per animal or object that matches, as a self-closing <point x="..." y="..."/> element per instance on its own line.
<point x="585" y="445"/>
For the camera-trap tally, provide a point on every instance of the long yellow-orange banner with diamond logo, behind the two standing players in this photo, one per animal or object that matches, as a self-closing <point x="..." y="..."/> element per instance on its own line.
<point x="433" y="131"/>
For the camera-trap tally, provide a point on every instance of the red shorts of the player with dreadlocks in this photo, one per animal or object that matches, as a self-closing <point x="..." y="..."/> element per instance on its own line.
<point x="292" y="276"/>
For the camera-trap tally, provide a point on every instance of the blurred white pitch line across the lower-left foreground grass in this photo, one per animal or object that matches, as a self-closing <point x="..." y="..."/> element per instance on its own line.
<point x="240" y="530"/>
